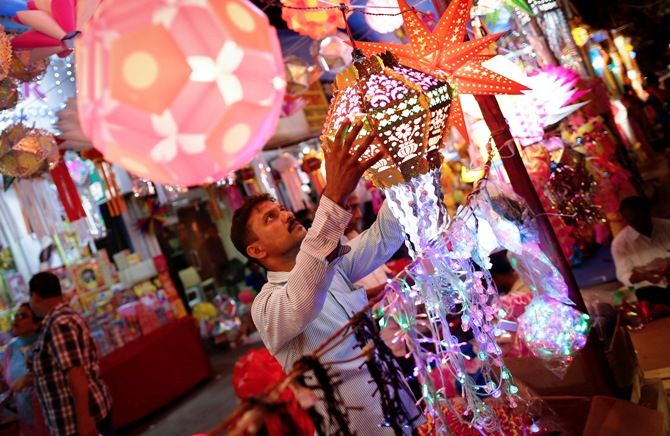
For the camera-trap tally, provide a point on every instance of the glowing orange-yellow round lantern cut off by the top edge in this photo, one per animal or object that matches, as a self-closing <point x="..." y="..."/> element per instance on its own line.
<point x="307" y="17"/>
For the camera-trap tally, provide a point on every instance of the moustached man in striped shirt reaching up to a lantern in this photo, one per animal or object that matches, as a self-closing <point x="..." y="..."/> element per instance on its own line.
<point x="310" y="292"/>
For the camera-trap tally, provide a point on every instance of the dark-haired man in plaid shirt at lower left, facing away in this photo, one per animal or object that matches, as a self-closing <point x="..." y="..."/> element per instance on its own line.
<point x="65" y="366"/>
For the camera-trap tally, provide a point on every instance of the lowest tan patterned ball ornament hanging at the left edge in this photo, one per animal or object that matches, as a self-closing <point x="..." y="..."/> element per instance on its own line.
<point x="26" y="152"/>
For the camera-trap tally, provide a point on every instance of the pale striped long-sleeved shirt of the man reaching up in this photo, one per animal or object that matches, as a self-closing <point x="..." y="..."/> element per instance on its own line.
<point x="296" y="311"/>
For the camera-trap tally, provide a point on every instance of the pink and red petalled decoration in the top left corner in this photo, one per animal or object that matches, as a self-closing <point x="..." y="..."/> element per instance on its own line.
<point x="54" y="25"/>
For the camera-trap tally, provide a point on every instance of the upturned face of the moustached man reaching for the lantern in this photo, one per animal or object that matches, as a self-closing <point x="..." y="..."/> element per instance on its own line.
<point x="275" y="230"/>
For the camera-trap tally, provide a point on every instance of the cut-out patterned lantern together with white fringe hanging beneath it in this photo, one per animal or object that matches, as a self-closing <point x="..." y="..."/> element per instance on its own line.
<point x="408" y="109"/>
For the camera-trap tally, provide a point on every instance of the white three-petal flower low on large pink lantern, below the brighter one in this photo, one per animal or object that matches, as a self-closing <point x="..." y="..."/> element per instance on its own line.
<point x="173" y="141"/>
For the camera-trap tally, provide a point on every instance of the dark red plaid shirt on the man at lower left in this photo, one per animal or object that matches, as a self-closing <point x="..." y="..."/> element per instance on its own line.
<point x="66" y="343"/>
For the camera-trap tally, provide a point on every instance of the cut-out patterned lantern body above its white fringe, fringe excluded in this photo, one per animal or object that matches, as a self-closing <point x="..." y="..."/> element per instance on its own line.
<point x="408" y="109"/>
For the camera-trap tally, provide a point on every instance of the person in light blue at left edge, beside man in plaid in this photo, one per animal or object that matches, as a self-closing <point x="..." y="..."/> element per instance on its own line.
<point x="16" y="376"/>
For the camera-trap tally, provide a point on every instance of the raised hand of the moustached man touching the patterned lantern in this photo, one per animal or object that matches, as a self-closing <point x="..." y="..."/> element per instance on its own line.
<point x="343" y="167"/>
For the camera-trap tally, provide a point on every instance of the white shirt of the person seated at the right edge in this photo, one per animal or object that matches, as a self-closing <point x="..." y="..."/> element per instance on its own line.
<point x="631" y="249"/>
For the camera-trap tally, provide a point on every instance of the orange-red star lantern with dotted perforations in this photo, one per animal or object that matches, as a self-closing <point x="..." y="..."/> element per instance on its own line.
<point x="442" y="52"/>
